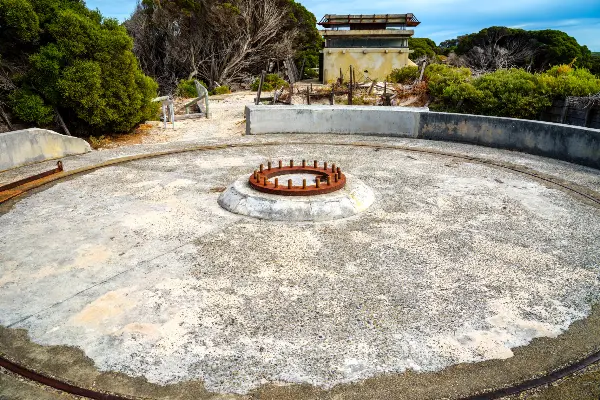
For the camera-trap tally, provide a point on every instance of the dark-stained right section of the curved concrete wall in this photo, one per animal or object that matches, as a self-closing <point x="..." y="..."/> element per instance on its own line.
<point x="563" y="142"/>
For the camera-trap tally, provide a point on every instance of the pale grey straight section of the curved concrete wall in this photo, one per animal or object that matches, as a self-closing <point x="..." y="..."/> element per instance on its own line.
<point x="389" y="121"/>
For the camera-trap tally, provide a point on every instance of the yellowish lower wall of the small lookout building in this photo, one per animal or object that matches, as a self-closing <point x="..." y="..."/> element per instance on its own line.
<point x="378" y="62"/>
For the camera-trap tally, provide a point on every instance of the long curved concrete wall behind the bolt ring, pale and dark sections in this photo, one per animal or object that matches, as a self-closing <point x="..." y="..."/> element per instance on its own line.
<point x="565" y="142"/>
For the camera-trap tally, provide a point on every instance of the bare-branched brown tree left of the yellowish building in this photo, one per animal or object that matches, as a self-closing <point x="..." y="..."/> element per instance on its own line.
<point x="219" y="41"/>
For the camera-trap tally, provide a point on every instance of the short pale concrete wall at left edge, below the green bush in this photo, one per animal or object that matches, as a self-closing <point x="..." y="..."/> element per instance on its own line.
<point x="28" y="146"/>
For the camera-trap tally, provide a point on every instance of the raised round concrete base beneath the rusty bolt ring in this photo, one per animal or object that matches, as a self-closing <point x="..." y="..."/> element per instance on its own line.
<point x="354" y="198"/>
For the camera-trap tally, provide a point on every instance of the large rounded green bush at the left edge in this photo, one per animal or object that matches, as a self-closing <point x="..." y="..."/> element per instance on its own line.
<point x="80" y="64"/>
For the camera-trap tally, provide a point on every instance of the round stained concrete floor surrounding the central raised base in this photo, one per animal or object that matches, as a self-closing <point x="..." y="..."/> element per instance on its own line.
<point x="456" y="263"/>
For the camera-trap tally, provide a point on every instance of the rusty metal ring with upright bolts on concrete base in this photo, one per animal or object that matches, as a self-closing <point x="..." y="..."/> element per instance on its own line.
<point x="328" y="180"/>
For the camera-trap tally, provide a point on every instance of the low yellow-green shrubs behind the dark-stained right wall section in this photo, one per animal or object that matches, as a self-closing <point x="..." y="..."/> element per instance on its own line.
<point x="513" y="93"/>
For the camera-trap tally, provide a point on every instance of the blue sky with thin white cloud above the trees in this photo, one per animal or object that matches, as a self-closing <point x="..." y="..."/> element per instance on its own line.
<point x="447" y="19"/>
